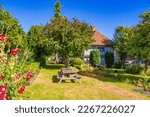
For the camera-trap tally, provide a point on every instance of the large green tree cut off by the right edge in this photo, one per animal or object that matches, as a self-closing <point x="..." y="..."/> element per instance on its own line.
<point x="139" y="45"/>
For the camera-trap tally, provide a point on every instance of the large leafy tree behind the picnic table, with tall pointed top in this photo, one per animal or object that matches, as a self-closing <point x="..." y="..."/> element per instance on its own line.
<point x="65" y="37"/>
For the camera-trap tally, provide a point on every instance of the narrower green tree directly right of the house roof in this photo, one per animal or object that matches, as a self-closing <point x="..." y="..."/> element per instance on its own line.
<point x="121" y="38"/>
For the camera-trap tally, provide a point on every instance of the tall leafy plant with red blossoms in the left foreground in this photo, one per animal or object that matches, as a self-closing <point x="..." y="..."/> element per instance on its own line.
<point x="12" y="73"/>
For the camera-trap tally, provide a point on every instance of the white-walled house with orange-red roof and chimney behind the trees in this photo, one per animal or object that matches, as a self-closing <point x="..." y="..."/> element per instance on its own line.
<point x="101" y="43"/>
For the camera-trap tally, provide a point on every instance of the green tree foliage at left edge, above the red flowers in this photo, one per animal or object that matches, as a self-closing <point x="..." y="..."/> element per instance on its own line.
<point x="11" y="28"/>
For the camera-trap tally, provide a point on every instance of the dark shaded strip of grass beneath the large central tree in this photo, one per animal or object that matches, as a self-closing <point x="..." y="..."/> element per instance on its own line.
<point x="53" y="66"/>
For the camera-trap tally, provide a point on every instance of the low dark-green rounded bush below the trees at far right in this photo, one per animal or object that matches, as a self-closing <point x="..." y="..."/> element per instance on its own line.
<point x="134" y="69"/>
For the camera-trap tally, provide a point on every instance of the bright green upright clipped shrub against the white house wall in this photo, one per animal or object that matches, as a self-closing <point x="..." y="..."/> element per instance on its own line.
<point x="95" y="57"/>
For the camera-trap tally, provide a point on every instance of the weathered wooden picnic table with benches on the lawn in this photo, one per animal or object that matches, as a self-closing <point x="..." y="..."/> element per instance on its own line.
<point x="67" y="74"/>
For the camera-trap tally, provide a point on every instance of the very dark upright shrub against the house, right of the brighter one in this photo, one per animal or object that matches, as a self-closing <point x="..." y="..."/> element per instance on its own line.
<point x="109" y="58"/>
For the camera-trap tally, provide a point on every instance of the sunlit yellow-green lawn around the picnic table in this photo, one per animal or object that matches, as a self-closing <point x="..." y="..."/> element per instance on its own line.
<point x="45" y="87"/>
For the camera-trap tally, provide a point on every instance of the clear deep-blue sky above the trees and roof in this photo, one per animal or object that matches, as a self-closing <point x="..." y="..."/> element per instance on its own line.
<point x="106" y="15"/>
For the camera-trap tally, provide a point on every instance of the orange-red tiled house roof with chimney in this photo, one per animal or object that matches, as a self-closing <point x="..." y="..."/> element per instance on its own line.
<point x="100" y="39"/>
